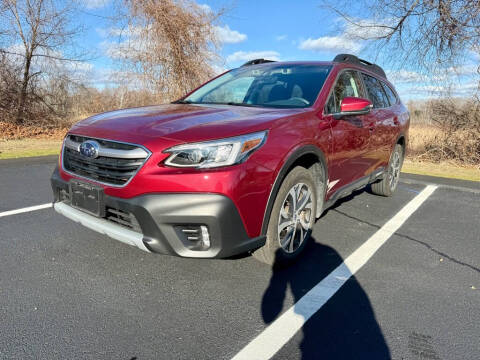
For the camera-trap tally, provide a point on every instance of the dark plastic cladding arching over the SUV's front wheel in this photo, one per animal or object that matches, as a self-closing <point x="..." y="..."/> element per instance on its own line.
<point x="309" y="157"/>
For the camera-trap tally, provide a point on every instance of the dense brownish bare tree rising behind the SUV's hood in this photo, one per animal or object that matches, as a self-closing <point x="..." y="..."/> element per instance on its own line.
<point x="168" y="45"/>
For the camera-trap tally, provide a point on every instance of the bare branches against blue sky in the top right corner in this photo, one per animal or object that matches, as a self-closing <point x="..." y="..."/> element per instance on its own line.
<point x="431" y="34"/>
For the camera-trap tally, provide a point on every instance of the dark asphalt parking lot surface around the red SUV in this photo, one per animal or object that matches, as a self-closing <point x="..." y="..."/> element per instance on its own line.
<point x="69" y="293"/>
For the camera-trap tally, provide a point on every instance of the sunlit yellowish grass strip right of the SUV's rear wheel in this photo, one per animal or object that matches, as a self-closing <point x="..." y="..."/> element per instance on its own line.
<point x="443" y="169"/>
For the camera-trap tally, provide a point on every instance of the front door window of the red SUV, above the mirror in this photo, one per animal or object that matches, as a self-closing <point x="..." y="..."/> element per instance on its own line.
<point x="347" y="85"/>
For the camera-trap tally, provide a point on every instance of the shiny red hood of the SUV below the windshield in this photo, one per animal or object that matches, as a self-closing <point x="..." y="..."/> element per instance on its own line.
<point x="179" y="122"/>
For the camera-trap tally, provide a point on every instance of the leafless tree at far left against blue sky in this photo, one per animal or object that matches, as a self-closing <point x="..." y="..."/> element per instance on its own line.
<point x="35" y="33"/>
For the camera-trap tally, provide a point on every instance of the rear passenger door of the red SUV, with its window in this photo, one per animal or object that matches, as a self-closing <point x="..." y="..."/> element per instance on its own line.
<point x="378" y="121"/>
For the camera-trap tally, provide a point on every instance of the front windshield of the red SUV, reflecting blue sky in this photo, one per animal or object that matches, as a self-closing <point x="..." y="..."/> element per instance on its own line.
<point x="272" y="85"/>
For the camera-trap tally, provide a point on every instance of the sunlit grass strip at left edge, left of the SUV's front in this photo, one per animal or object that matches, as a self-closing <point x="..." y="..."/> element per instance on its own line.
<point x="10" y="149"/>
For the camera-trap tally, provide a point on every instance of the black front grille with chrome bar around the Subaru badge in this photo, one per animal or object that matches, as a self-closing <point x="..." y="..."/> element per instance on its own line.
<point x="115" y="165"/>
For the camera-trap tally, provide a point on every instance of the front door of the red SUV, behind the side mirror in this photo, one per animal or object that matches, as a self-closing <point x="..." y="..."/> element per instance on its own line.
<point x="350" y="134"/>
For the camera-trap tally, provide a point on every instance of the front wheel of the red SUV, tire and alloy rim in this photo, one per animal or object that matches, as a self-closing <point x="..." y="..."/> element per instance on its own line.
<point x="291" y="219"/>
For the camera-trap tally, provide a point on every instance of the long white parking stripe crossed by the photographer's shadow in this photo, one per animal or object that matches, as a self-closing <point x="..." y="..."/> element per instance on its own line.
<point x="277" y="334"/>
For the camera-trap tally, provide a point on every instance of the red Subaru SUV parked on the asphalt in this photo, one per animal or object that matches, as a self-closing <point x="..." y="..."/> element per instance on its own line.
<point x="244" y="163"/>
